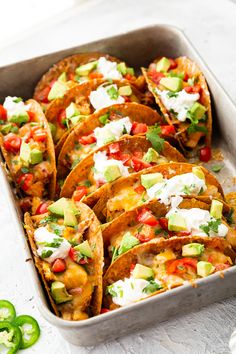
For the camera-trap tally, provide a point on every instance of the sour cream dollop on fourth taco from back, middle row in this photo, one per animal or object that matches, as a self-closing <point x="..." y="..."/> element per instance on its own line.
<point x="101" y="162"/>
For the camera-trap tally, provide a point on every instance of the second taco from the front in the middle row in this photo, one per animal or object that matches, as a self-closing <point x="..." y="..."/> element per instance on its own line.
<point x="154" y="220"/>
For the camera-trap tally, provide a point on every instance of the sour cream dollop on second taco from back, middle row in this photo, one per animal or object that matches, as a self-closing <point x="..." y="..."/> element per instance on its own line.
<point x="101" y="98"/>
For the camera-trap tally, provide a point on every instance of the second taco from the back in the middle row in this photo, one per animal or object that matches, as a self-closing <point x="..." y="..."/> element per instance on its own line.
<point x="83" y="99"/>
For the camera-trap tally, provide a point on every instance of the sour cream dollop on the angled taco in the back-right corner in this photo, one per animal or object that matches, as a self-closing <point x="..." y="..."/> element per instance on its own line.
<point x="180" y="103"/>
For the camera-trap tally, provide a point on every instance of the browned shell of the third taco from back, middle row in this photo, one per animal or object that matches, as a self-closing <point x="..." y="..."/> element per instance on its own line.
<point x="136" y="112"/>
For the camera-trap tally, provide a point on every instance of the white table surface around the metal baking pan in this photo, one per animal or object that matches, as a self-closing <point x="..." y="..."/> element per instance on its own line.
<point x="211" y="26"/>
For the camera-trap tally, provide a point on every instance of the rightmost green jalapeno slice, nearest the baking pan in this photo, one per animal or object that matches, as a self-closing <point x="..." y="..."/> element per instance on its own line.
<point x="29" y="329"/>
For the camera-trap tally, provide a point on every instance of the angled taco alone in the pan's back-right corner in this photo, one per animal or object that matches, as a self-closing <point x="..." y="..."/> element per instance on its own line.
<point x="181" y="92"/>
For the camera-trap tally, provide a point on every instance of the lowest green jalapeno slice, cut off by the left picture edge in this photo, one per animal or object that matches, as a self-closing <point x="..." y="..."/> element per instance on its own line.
<point x="10" y="337"/>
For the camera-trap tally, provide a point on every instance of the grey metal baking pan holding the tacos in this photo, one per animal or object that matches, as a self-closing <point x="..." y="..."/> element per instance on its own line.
<point x="137" y="48"/>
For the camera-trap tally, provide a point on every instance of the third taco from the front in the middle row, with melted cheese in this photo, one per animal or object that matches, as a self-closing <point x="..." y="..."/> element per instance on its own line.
<point x="159" y="182"/>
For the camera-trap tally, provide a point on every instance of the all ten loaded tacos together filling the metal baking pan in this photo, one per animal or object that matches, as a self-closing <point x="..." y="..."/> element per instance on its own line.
<point x="115" y="213"/>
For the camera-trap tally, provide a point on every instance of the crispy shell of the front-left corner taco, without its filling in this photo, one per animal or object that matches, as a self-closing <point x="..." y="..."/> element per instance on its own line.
<point x="92" y="233"/>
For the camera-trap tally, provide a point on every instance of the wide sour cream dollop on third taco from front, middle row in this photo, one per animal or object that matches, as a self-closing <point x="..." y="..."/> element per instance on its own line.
<point x="187" y="183"/>
